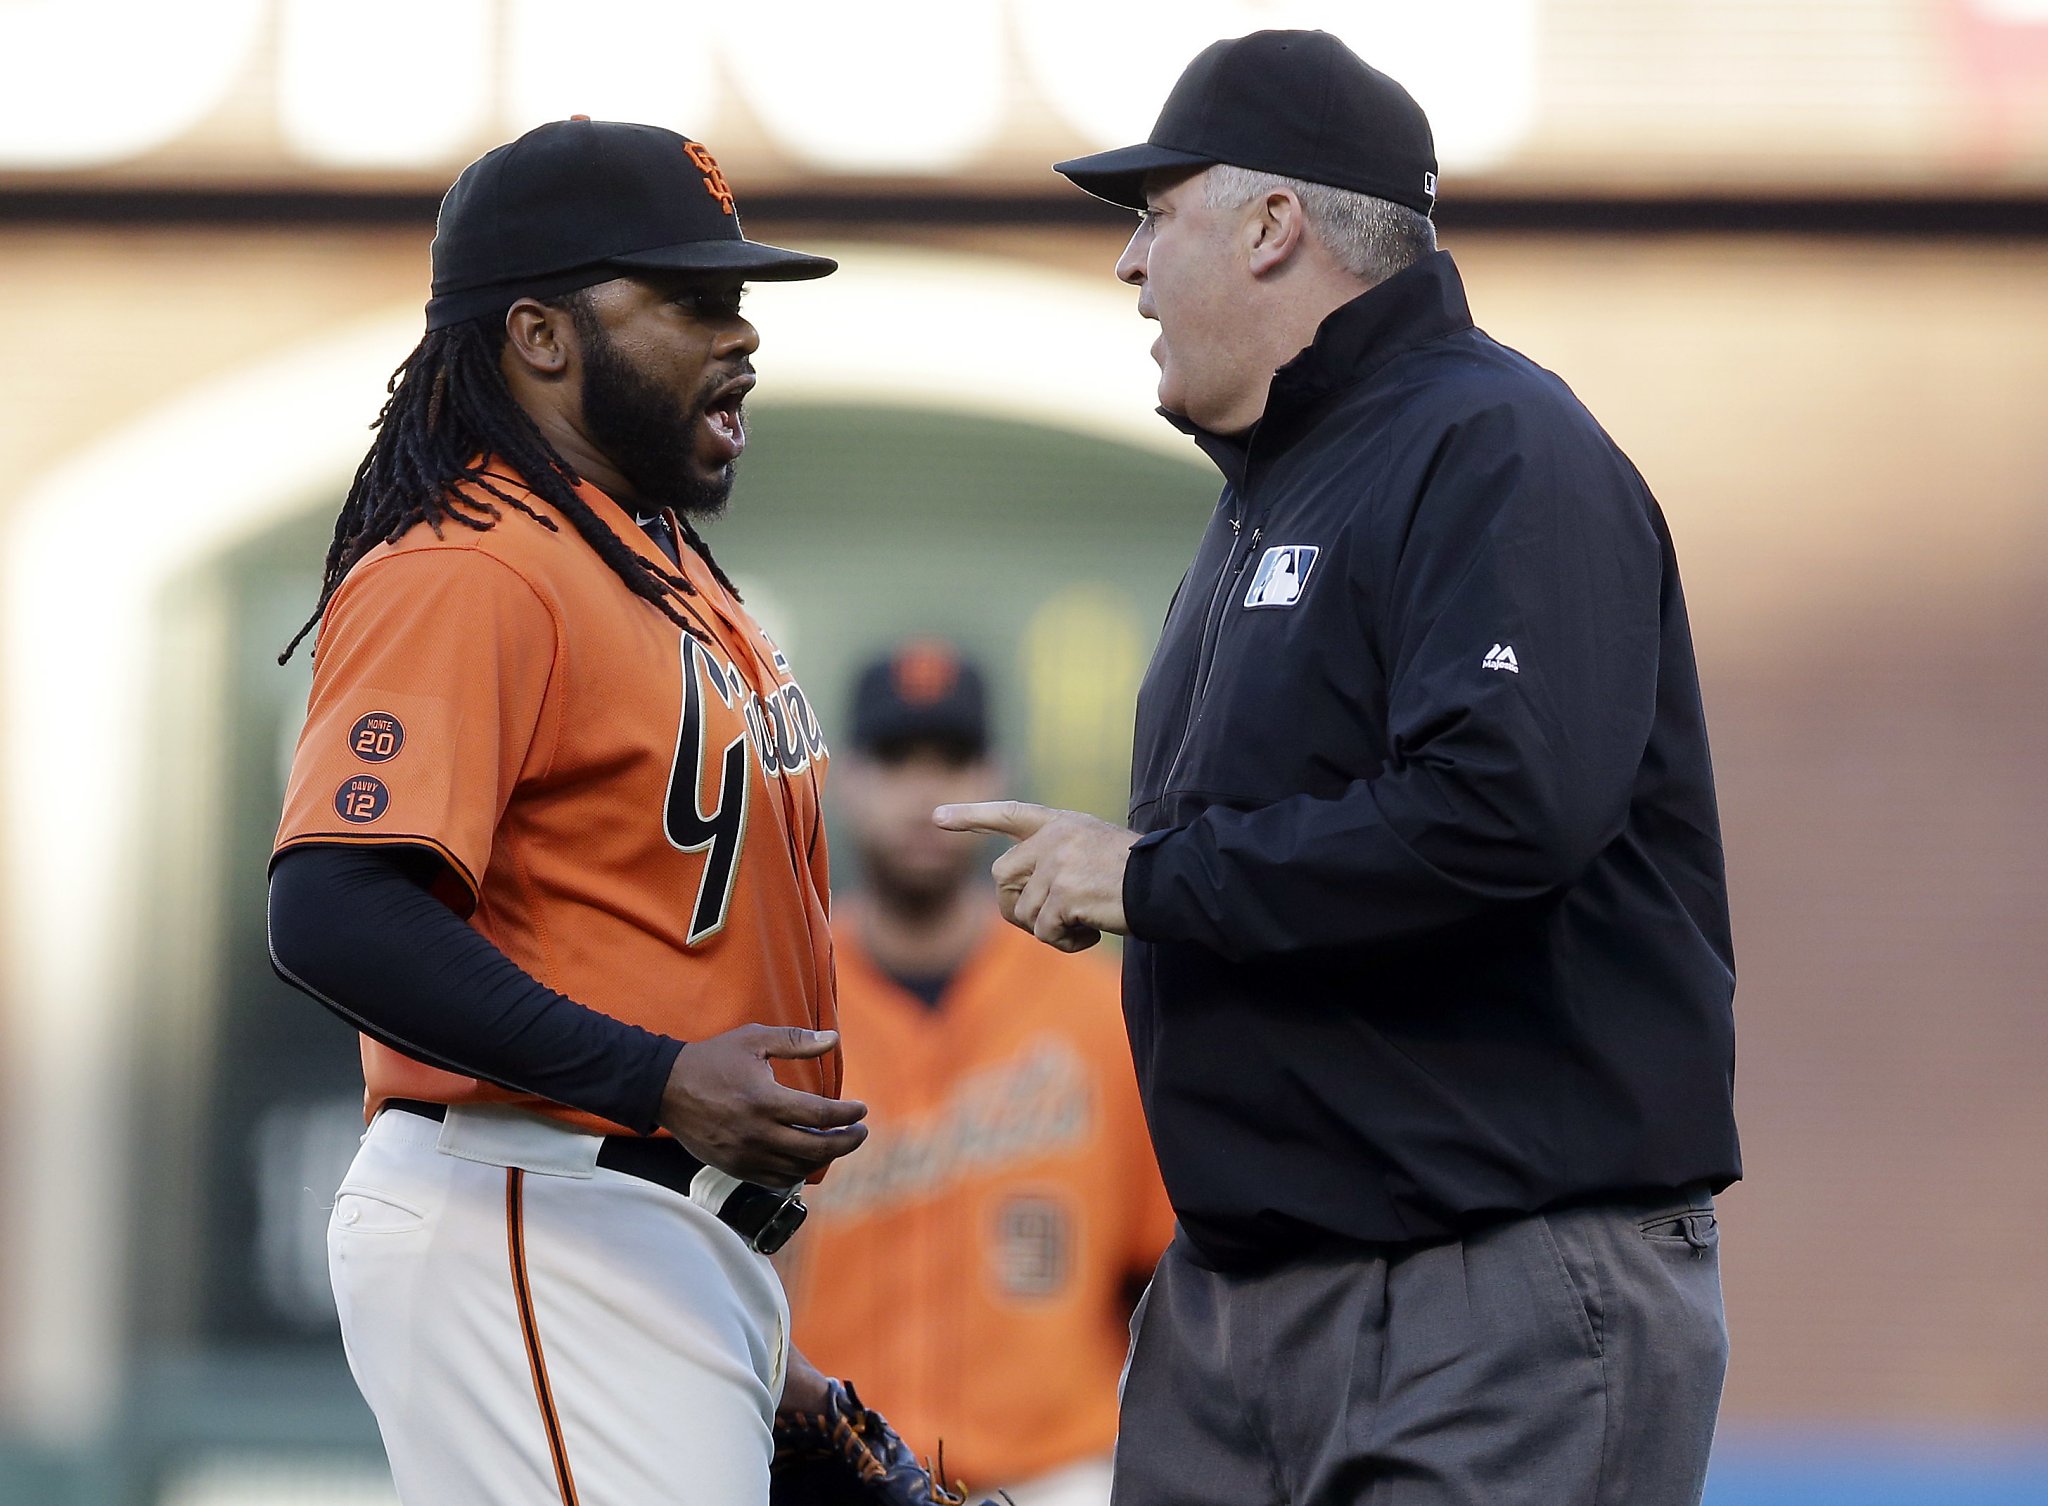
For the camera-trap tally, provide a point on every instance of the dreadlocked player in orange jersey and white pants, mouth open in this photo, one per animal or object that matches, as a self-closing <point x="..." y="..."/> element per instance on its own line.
<point x="556" y="814"/>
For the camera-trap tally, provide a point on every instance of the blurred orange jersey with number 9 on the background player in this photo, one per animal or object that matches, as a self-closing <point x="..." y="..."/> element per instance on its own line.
<point x="972" y="1265"/>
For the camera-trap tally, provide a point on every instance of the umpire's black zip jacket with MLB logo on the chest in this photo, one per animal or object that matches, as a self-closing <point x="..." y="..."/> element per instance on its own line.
<point x="1428" y="925"/>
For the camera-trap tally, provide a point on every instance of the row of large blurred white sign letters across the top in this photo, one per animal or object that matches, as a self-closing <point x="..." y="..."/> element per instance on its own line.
<point x="888" y="89"/>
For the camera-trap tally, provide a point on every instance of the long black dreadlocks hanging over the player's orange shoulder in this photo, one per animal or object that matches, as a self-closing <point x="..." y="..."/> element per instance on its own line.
<point x="447" y="417"/>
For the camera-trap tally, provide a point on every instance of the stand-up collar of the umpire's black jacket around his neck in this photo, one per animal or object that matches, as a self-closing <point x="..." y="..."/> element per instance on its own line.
<point x="1408" y="310"/>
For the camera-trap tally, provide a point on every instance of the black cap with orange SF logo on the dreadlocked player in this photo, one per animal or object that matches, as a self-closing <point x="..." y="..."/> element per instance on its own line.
<point x="583" y="202"/>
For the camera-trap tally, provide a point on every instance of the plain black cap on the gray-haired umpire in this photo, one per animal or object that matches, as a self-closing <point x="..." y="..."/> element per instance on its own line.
<point x="1297" y="103"/>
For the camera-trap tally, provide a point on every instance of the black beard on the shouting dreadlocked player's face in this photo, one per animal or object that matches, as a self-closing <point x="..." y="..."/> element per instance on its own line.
<point x="636" y="423"/>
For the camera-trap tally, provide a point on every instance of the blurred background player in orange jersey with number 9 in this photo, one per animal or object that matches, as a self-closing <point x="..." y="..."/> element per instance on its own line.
<point x="978" y="1261"/>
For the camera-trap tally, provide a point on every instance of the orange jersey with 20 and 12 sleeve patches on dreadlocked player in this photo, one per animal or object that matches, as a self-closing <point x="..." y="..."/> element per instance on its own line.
<point x="632" y="810"/>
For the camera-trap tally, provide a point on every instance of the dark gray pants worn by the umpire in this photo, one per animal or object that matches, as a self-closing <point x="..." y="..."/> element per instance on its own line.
<point x="1564" y="1359"/>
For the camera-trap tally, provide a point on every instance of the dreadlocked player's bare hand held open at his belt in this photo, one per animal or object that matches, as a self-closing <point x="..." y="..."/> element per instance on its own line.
<point x="728" y="1110"/>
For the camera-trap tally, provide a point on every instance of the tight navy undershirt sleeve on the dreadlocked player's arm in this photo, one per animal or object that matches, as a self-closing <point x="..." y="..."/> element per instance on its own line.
<point x="361" y="931"/>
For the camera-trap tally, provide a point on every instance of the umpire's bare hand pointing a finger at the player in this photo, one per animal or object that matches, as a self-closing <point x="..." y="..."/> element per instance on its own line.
<point x="1064" y="882"/>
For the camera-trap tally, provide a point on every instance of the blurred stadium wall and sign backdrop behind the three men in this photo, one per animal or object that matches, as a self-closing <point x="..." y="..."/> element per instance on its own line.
<point x="1793" y="253"/>
